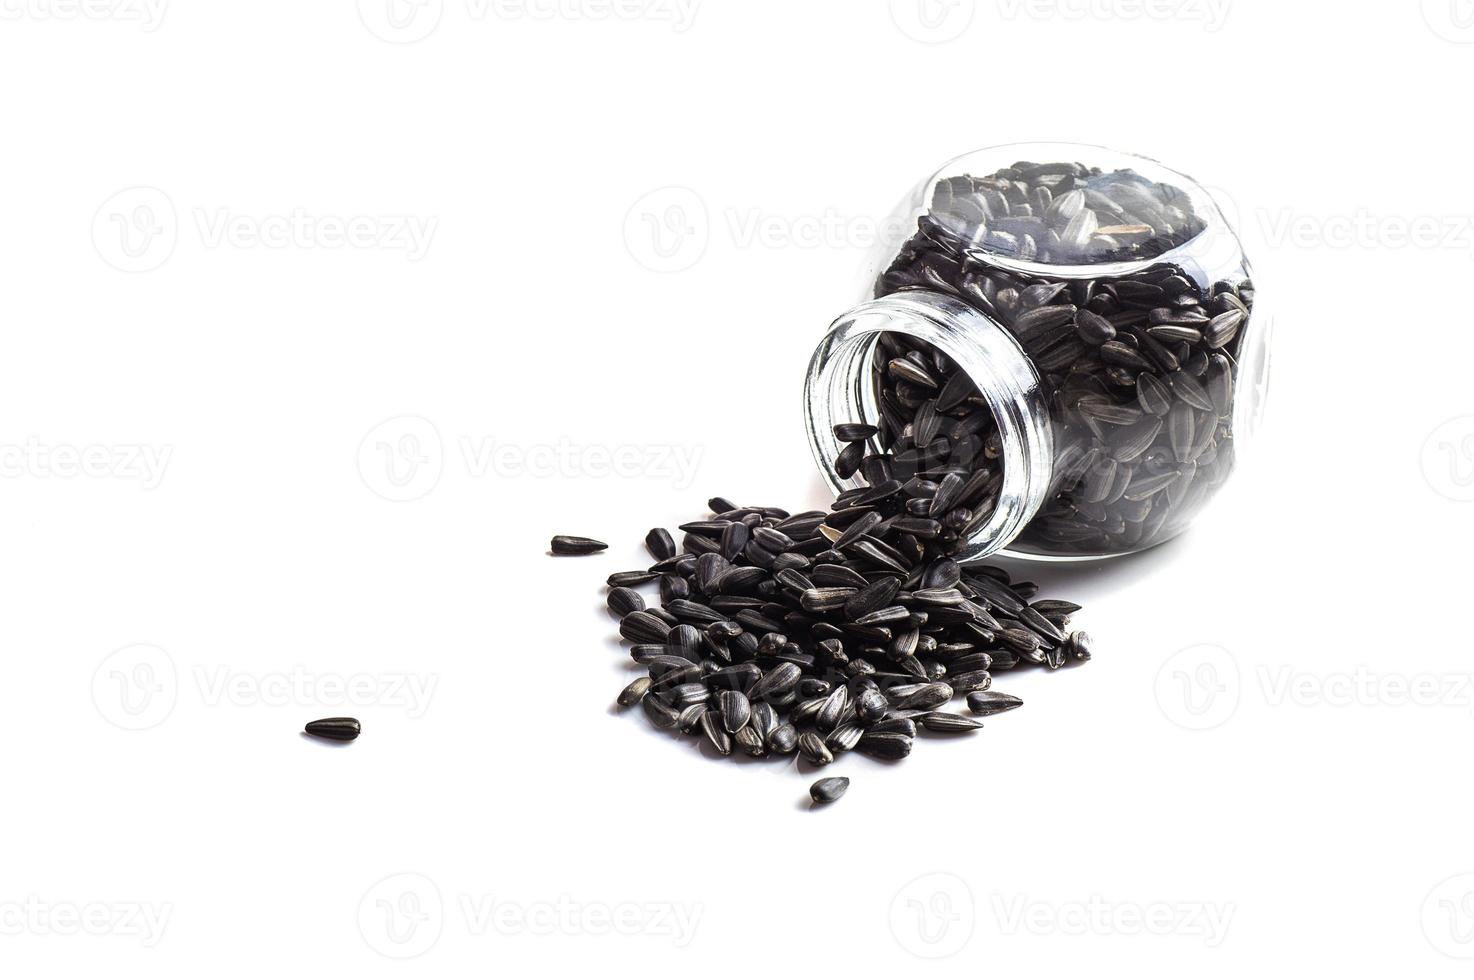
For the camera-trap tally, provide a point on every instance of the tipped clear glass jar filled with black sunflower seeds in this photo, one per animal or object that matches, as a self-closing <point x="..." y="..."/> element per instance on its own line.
<point x="1066" y="356"/>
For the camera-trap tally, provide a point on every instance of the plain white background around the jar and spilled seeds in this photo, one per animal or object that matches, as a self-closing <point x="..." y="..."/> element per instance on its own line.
<point x="247" y="472"/>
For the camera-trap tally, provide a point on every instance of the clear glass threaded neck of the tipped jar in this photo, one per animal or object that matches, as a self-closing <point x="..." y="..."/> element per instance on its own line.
<point x="841" y="387"/>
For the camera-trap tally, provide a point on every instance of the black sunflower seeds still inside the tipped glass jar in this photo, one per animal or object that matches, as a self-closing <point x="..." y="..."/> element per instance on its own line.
<point x="1140" y="371"/>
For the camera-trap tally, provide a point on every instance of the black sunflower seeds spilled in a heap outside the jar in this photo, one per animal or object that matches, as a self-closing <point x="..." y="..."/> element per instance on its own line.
<point x="825" y="633"/>
